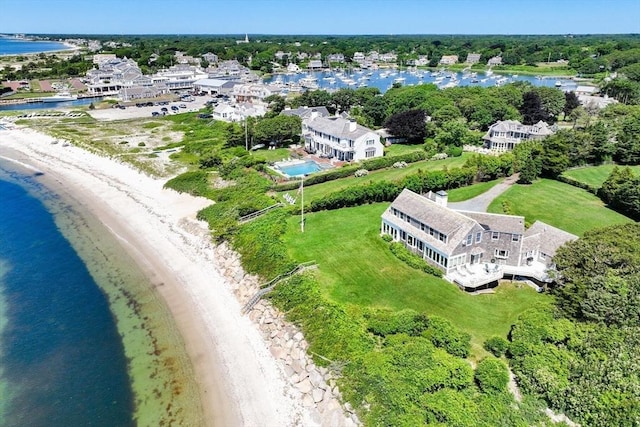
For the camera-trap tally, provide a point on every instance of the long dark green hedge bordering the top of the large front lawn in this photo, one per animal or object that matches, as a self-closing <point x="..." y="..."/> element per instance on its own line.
<point x="385" y="191"/>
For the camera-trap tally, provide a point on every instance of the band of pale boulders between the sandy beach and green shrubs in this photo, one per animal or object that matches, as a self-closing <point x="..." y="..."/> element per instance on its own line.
<point x="314" y="385"/>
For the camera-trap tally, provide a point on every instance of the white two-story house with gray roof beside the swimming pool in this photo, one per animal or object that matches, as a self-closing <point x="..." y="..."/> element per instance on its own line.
<point x="341" y="139"/>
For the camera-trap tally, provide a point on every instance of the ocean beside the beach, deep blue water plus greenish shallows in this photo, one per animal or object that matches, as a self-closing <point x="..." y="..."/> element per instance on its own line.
<point x="84" y="339"/>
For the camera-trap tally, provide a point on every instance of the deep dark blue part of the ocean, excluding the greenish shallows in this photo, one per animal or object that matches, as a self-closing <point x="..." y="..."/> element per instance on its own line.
<point x="62" y="361"/>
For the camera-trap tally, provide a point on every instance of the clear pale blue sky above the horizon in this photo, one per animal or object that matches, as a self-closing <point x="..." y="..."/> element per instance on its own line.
<point x="320" y="16"/>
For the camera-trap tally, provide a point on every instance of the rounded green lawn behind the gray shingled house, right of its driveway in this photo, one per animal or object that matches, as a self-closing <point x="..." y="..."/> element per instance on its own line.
<point x="561" y="205"/>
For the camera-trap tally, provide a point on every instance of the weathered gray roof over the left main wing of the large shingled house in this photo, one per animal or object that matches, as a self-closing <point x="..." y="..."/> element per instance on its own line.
<point x="447" y="221"/>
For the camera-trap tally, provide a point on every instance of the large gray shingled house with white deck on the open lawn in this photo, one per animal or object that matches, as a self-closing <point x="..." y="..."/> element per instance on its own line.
<point x="473" y="249"/>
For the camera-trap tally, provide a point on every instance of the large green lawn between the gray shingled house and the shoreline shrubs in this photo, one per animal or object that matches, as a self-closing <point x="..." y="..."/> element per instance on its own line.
<point x="355" y="266"/>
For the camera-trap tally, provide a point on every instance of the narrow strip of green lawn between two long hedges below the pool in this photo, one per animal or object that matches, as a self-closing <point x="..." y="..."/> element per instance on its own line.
<point x="390" y="174"/>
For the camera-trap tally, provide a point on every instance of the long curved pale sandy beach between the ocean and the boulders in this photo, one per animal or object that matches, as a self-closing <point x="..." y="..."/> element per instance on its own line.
<point x="239" y="380"/>
